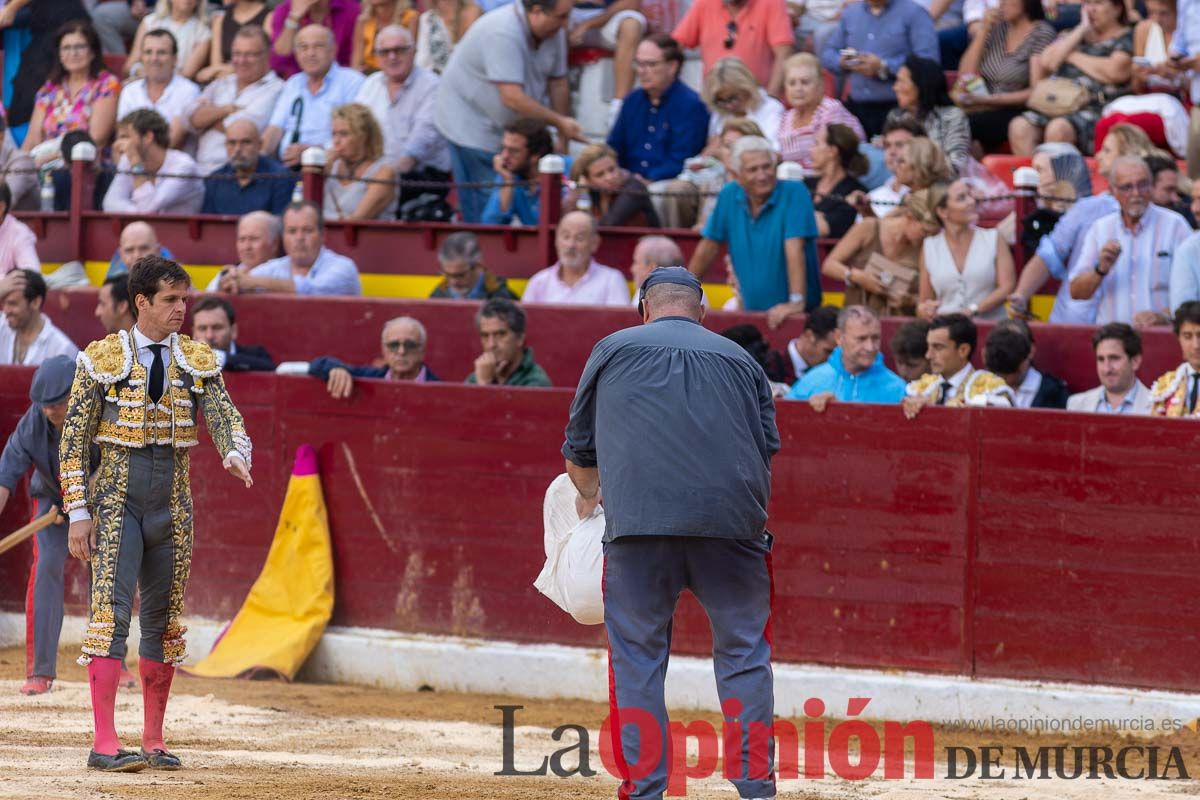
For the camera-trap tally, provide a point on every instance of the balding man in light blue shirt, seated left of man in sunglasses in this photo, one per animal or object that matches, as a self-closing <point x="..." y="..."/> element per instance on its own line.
<point x="303" y="112"/>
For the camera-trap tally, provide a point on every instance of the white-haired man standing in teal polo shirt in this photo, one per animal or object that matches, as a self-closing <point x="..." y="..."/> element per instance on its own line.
<point x="771" y="230"/>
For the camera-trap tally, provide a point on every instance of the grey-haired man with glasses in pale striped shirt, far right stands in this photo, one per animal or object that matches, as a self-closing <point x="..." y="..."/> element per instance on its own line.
<point x="1125" y="267"/>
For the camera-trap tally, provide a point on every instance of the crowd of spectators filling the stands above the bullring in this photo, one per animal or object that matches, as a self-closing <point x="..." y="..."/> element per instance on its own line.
<point x="832" y="121"/>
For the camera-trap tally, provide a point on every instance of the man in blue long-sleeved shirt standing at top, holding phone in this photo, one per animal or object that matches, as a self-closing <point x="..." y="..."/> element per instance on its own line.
<point x="883" y="34"/>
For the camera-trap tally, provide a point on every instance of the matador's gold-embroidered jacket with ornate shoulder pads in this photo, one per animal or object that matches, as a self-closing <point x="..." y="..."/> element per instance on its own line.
<point x="110" y="406"/>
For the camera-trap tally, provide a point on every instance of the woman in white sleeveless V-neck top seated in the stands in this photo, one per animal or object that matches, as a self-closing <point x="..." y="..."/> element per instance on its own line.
<point x="965" y="269"/>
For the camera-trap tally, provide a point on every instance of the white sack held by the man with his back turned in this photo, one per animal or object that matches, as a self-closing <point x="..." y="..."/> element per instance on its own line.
<point x="574" y="566"/>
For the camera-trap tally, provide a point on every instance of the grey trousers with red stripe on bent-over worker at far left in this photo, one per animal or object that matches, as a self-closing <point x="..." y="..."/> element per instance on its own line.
<point x="44" y="601"/>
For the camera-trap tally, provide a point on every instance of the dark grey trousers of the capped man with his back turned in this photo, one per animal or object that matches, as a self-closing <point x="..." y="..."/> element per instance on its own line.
<point x="644" y="578"/>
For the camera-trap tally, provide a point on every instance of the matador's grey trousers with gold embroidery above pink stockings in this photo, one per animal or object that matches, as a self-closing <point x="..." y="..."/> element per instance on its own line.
<point x="147" y="555"/>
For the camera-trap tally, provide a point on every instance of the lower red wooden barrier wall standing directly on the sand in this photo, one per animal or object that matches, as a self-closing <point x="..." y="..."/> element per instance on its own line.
<point x="1005" y="544"/>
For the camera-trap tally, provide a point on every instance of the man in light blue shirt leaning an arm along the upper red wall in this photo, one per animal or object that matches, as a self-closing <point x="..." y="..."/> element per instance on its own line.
<point x="308" y="268"/>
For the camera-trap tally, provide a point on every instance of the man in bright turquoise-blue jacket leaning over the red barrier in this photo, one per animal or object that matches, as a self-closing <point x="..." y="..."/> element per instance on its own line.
<point x="855" y="372"/>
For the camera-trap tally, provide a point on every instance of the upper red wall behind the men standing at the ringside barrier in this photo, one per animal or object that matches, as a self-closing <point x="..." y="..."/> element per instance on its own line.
<point x="299" y="329"/>
